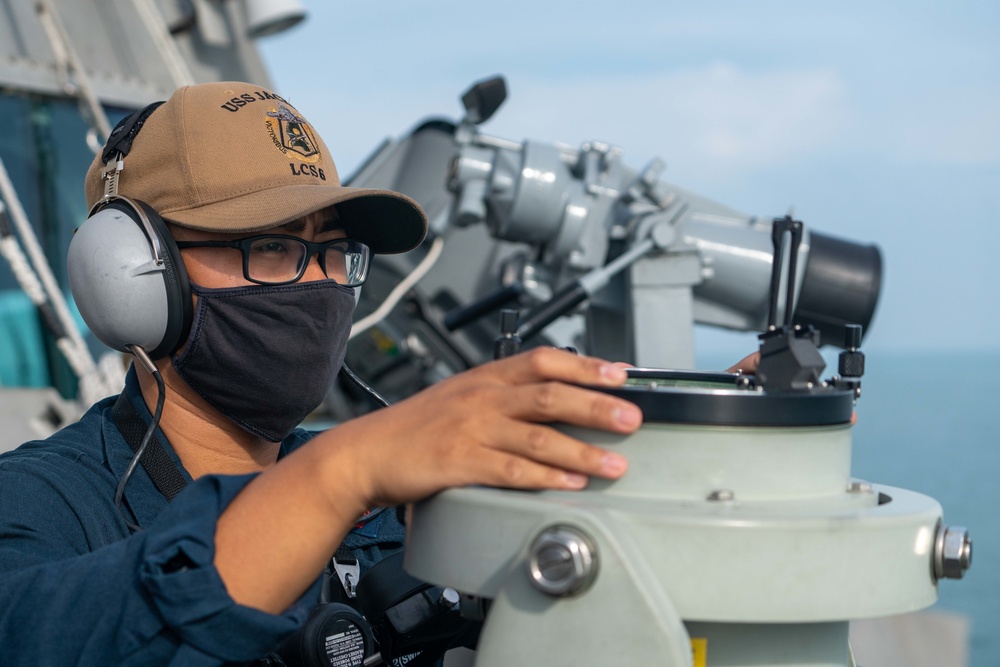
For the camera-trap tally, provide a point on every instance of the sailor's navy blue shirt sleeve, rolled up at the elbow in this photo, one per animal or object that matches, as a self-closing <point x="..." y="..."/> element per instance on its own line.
<point x="76" y="591"/>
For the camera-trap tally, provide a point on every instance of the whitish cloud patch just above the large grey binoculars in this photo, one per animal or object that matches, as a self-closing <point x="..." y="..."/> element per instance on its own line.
<point x="716" y="116"/>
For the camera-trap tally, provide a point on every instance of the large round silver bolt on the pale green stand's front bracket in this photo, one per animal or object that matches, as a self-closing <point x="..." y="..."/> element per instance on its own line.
<point x="562" y="561"/>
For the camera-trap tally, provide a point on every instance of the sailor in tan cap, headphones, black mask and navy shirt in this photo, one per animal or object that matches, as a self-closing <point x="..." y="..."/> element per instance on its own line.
<point x="216" y="560"/>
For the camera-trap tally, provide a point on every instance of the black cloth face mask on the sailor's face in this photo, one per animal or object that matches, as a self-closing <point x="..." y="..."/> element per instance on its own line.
<point x="264" y="355"/>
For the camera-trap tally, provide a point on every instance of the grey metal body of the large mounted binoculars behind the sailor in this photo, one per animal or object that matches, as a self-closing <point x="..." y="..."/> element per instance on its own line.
<point x="540" y="217"/>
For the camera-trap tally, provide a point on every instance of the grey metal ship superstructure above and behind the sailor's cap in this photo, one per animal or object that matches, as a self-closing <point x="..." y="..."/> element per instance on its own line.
<point x="121" y="46"/>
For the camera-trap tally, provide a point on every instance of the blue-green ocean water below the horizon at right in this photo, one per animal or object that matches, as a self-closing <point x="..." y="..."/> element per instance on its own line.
<point x="929" y="423"/>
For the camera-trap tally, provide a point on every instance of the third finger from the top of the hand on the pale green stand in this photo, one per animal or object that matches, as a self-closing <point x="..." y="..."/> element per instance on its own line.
<point x="545" y="445"/>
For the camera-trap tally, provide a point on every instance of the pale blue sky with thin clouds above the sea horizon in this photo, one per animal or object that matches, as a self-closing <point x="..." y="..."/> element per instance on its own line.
<point x="874" y="122"/>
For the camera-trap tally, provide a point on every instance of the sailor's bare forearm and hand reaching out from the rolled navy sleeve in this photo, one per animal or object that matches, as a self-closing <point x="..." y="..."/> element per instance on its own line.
<point x="485" y="426"/>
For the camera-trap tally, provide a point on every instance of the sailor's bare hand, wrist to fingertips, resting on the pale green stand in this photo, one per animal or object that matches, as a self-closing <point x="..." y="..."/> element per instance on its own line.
<point x="490" y="425"/>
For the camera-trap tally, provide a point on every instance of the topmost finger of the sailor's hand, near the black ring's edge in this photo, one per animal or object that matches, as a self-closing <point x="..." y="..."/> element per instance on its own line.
<point x="544" y="363"/>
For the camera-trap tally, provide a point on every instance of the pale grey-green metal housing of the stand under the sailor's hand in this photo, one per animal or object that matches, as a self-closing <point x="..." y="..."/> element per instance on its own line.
<point x="770" y="572"/>
